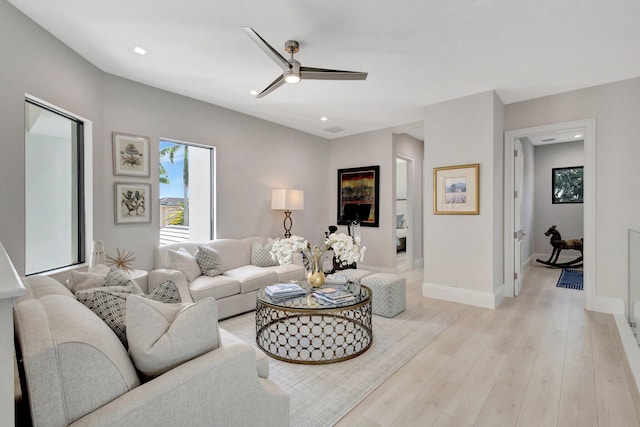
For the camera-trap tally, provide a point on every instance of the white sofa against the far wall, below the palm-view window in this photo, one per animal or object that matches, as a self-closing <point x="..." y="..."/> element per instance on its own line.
<point x="235" y="289"/>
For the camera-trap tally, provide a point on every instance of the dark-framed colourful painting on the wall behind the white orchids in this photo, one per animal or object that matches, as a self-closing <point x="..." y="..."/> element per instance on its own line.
<point x="359" y="195"/>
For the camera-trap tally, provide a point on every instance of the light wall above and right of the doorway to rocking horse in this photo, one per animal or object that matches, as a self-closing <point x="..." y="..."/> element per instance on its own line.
<point x="615" y="107"/>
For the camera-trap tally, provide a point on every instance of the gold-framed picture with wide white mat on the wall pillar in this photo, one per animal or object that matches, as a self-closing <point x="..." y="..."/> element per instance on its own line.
<point x="456" y="190"/>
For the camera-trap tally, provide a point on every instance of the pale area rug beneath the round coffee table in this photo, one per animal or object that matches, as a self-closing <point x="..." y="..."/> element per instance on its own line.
<point x="322" y="394"/>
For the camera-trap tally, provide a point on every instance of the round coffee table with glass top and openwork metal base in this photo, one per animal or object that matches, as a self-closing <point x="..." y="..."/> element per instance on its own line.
<point x="306" y="330"/>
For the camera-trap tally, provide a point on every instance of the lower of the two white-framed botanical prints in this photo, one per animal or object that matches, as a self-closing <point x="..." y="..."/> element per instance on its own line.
<point x="132" y="202"/>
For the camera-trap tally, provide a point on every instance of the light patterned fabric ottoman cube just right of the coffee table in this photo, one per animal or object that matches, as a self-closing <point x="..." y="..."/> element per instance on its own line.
<point x="389" y="293"/>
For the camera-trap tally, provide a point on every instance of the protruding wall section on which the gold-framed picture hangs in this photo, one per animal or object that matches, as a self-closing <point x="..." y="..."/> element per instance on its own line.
<point x="463" y="253"/>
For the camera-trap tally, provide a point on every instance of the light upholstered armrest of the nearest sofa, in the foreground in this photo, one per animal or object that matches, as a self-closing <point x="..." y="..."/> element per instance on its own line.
<point x="219" y="388"/>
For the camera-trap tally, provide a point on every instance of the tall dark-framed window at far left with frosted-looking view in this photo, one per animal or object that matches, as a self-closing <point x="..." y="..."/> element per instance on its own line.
<point x="55" y="227"/>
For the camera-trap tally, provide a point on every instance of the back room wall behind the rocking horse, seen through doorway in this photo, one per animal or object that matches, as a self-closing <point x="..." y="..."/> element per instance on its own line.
<point x="569" y="217"/>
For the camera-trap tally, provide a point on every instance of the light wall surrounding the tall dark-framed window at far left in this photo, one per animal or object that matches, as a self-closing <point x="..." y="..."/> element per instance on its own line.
<point x="36" y="63"/>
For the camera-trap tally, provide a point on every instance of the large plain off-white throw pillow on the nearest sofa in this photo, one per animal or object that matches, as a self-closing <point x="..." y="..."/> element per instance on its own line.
<point x="163" y="336"/>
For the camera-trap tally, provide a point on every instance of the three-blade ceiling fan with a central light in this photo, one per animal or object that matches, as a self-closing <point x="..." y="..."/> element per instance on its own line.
<point x="292" y="71"/>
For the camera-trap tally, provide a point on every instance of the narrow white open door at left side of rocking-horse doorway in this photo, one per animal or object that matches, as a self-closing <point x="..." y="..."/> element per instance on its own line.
<point x="518" y="232"/>
